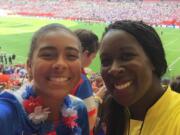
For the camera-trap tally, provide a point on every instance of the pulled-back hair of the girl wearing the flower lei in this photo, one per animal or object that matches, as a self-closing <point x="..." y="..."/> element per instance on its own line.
<point x="43" y="31"/>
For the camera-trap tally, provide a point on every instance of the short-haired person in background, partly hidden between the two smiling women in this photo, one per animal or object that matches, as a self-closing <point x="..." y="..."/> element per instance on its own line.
<point x="90" y="46"/>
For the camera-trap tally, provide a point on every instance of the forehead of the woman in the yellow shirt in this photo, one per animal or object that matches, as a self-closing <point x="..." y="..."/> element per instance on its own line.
<point x="116" y="40"/>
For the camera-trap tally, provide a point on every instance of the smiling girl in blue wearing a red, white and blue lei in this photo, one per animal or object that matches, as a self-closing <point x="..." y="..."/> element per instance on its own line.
<point x="45" y="106"/>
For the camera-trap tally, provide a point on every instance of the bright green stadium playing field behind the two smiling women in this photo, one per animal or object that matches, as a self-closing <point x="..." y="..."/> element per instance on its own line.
<point x="16" y="33"/>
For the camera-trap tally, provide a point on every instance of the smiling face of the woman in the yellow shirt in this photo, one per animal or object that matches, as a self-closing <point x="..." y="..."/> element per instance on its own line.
<point x="125" y="68"/>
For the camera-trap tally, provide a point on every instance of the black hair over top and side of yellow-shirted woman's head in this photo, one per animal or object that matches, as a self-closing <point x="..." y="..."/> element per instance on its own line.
<point x="148" y="39"/>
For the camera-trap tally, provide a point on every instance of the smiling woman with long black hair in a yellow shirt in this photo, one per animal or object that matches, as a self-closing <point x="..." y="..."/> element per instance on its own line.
<point x="132" y="63"/>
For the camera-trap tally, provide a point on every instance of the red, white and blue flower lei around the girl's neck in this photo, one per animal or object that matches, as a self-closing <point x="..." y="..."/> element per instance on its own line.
<point x="38" y="114"/>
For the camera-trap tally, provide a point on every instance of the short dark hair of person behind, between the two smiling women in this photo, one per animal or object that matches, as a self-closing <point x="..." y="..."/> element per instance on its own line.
<point x="88" y="39"/>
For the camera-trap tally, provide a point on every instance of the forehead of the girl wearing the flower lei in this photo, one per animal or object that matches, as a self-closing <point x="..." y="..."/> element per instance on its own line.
<point x="59" y="39"/>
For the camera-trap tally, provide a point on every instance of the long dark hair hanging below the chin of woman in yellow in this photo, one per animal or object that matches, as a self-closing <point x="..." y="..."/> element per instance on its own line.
<point x="108" y="112"/>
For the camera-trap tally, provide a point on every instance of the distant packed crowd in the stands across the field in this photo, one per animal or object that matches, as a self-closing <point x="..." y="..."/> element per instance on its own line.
<point x="153" y="12"/>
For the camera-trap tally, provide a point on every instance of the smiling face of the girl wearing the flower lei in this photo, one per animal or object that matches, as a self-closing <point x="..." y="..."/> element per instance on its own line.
<point x="56" y="65"/>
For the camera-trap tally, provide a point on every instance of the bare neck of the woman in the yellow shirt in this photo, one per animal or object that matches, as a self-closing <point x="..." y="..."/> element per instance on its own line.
<point x="139" y="109"/>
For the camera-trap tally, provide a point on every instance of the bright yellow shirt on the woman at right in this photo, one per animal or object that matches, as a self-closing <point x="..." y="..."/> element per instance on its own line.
<point x="163" y="118"/>
